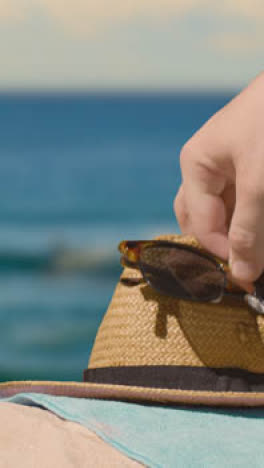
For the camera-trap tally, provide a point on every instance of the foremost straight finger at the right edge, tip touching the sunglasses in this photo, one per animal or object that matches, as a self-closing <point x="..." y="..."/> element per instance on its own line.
<point x="246" y="234"/>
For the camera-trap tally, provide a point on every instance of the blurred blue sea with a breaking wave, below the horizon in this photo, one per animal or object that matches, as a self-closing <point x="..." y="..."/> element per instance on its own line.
<point x="78" y="173"/>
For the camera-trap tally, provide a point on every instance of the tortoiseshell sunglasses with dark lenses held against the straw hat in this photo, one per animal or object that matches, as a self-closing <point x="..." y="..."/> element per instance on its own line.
<point x="186" y="272"/>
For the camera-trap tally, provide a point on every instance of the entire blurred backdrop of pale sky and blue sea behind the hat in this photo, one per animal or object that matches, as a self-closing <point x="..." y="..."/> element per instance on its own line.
<point x="96" y="101"/>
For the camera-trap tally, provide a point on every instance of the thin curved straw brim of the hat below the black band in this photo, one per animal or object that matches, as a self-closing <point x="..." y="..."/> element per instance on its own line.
<point x="133" y="394"/>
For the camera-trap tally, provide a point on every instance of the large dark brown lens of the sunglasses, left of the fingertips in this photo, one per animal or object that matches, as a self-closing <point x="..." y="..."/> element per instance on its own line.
<point x="182" y="273"/>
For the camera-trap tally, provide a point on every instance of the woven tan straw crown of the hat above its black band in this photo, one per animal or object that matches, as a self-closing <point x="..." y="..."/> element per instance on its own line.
<point x="142" y="327"/>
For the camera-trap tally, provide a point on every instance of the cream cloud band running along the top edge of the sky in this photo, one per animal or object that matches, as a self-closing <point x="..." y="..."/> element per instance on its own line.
<point x="86" y="17"/>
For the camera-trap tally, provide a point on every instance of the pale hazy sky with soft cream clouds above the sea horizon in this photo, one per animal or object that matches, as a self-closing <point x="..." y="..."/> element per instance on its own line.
<point x="130" y="44"/>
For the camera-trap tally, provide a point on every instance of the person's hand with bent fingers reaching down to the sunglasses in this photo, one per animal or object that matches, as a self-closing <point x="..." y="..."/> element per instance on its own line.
<point x="221" y="199"/>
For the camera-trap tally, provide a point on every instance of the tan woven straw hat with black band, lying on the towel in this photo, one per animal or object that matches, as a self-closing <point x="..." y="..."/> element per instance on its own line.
<point x="155" y="348"/>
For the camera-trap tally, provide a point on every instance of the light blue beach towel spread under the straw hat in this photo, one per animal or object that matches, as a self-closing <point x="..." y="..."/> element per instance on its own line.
<point x="163" y="436"/>
